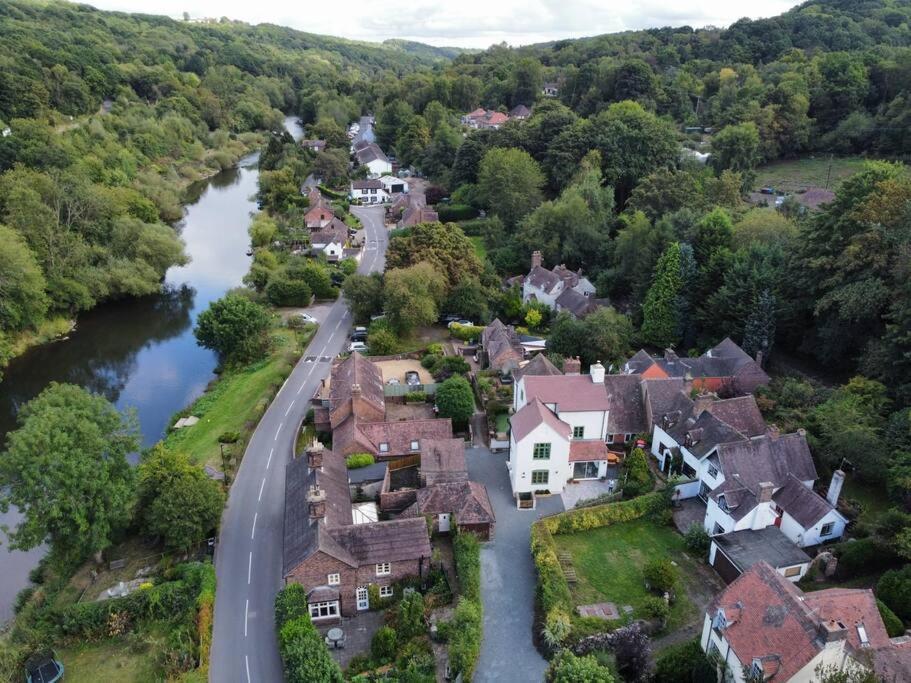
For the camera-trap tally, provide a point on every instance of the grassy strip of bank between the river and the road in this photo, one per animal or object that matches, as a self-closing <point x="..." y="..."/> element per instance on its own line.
<point x="237" y="399"/>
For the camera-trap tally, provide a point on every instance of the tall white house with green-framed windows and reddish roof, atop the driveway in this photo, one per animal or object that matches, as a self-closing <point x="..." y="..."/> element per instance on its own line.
<point x="558" y="430"/>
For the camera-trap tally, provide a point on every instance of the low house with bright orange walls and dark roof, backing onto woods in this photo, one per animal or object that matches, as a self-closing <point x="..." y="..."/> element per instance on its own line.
<point x="724" y="368"/>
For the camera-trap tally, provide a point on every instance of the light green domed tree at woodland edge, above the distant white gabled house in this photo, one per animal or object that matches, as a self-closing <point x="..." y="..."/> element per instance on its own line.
<point x="509" y="183"/>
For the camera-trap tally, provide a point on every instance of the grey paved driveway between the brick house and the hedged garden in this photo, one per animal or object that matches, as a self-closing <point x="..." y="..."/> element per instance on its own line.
<point x="507" y="578"/>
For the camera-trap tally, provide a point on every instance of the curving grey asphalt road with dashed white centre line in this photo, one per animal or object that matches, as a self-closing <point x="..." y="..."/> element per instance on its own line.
<point x="249" y="556"/>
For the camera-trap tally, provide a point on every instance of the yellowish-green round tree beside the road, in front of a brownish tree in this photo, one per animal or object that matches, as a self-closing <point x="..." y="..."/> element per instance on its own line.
<point x="412" y="296"/>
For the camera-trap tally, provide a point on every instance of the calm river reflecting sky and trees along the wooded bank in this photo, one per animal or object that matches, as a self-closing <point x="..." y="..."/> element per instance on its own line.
<point x="141" y="353"/>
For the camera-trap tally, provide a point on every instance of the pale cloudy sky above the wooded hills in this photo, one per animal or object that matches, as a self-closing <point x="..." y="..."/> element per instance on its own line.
<point x="463" y="23"/>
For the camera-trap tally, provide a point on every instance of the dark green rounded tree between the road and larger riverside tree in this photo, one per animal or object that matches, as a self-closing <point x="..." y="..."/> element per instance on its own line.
<point x="178" y="502"/>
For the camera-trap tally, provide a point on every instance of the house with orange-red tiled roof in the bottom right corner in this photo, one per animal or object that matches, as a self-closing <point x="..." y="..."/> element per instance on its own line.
<point x="763" y="627"/>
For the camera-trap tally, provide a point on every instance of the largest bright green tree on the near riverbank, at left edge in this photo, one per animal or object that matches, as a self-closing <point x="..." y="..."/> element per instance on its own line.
<point x="66" y="469"/>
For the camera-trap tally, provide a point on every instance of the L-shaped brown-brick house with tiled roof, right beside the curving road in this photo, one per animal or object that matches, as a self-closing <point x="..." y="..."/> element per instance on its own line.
<point x="335" y="559"/>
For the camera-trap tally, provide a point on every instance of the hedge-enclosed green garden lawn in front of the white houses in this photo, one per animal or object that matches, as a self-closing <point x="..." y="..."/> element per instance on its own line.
<point x="609" y="562"/>
